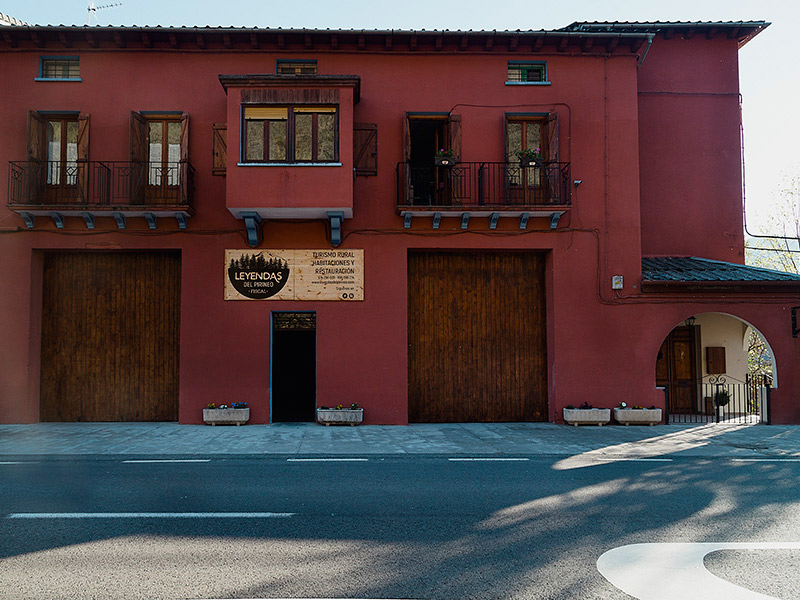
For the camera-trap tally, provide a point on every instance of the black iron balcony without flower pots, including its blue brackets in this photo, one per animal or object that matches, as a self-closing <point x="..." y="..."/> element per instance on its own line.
<point x="92" y="189"/>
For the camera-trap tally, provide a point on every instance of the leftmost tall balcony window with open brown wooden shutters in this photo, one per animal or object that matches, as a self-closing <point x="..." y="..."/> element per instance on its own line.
<point x="58" y="151"/>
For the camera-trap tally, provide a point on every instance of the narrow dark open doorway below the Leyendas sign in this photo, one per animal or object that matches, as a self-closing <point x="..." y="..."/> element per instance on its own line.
<point x="294" y="367"/>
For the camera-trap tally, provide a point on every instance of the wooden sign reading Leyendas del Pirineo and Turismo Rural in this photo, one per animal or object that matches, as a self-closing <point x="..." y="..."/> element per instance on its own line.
<point x="294" y="274"/>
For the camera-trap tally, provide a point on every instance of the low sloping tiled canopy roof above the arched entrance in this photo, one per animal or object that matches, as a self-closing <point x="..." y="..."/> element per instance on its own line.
<point x="690" y="269"/>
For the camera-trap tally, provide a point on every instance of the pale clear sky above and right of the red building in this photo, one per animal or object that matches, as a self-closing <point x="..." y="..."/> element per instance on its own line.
<point x="769" y="73"/>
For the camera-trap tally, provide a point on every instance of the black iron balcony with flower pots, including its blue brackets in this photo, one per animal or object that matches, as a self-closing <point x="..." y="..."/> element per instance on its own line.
<point x="484" y="189"/>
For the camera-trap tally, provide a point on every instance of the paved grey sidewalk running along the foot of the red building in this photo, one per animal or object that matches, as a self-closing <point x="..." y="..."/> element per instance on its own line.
<point x="451" y="439"/>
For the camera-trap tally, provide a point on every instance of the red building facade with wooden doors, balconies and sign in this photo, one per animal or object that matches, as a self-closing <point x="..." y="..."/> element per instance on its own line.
<point x="438" y="226"/>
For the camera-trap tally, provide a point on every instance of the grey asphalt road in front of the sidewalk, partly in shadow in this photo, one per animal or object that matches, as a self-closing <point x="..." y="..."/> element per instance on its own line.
<point x="411" y="527"/>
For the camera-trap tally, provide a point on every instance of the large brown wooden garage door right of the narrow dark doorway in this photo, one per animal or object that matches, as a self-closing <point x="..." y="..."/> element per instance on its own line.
<point x="477" y="346"/>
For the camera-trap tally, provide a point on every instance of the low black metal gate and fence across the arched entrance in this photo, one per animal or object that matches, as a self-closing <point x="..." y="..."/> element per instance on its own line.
<point x="720" y="399"/>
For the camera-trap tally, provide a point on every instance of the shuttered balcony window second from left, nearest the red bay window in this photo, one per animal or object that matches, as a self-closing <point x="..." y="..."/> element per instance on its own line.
<point x="159" y="153"/>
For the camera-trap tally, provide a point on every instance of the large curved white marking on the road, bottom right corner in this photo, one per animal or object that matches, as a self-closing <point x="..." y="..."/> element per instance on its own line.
<point x="669" y="571"/>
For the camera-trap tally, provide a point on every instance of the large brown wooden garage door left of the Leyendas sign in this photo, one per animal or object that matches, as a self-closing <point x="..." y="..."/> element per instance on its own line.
<point x="110" y="336"/>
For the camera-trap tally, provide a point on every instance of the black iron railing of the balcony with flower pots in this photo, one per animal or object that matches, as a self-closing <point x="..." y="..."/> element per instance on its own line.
<point x="490" y="185"/>
